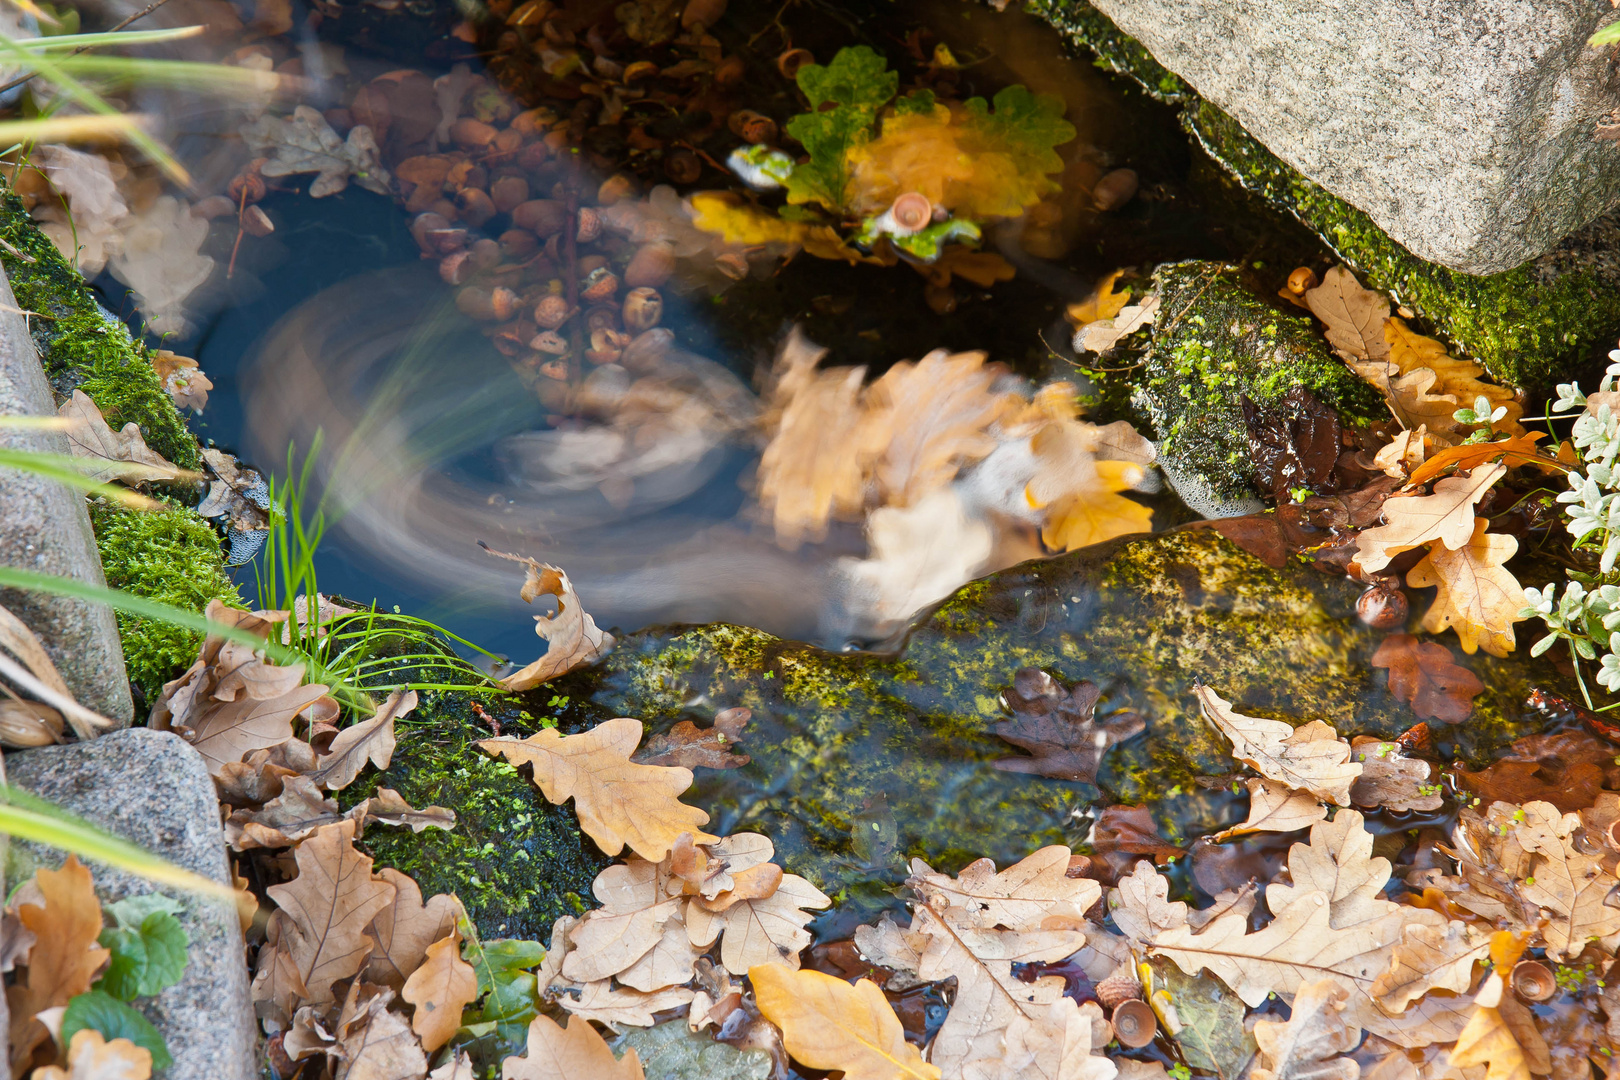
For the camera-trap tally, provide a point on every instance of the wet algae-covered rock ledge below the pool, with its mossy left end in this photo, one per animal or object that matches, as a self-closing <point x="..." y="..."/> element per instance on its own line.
<point x="863" y="760"/>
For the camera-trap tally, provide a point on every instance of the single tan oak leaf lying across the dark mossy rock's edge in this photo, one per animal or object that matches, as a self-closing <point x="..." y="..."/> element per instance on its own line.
<point x="618" y="802"/>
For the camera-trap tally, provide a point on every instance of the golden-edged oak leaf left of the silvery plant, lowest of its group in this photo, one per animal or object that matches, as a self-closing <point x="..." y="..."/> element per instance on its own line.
<point x="1480" y="598"/>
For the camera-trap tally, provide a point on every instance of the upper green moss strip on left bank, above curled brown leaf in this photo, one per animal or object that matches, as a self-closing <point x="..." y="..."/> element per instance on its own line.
<point x="80" y="347"/>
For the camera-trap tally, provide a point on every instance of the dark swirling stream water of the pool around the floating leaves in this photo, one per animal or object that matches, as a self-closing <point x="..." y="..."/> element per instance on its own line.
<point x="338" y="328"/>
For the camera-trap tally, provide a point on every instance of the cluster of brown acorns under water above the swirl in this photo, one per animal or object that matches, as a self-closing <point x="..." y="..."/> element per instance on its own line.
<point x="497" y="215"/>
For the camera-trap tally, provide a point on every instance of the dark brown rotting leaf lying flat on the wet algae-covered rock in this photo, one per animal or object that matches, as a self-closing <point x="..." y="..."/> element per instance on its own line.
<point x="1060" y="728"/>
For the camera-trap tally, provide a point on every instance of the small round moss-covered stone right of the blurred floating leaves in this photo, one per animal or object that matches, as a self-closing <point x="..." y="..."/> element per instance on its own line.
<point x="1214" y="344"/>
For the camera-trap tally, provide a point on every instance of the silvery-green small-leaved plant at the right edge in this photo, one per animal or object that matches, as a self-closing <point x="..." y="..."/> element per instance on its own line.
<point x="1587" y="616"/>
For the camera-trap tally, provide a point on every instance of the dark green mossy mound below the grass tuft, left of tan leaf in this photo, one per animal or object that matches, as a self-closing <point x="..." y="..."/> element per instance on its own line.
<point x="516" y="861"/>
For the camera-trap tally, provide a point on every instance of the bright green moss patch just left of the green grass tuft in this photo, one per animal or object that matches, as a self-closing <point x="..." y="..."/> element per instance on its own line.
<point x="171" y="556"/>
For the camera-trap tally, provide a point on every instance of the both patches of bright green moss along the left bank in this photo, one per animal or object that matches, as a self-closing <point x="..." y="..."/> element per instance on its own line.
<point x="171" y="556"/>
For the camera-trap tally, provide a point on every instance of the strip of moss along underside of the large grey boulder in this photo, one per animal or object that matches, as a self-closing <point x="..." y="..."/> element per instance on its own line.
<point x="1530" y="326"/>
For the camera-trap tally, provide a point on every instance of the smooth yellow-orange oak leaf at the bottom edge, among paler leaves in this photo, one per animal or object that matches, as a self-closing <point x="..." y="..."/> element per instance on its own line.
<point x="829" y="1024"/>
